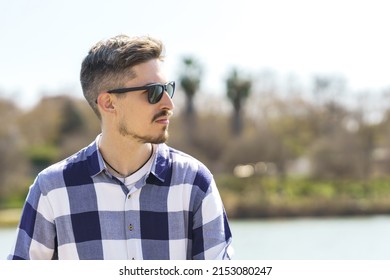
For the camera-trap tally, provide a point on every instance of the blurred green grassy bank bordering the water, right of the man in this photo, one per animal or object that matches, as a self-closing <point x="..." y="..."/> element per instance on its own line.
<point x="258" y="197"/>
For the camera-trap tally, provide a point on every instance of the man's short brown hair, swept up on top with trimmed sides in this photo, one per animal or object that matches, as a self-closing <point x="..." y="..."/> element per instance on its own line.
<point x="109" y="62"/>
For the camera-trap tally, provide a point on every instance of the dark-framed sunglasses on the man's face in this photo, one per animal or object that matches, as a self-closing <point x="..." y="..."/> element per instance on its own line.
<point x="155" y="91"/>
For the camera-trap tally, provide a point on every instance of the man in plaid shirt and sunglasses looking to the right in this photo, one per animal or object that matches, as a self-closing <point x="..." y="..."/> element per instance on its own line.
<point x="127" y="195"/>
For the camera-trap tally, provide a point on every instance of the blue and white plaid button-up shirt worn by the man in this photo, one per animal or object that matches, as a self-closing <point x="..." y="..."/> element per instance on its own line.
<point x="76" y="210"/>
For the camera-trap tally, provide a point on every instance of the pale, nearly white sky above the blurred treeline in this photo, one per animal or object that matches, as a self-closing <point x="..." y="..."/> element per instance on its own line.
<point x="44" y="41"/>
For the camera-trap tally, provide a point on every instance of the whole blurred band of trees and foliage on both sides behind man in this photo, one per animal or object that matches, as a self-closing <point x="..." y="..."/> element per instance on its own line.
<point x="305" y="156"/>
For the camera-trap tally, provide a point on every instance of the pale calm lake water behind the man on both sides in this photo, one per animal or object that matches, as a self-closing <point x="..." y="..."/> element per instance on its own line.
<point x="360" y="238"/>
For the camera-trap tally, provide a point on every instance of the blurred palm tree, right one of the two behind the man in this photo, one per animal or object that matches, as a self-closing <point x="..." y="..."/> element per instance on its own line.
<point x="238" y="89"/>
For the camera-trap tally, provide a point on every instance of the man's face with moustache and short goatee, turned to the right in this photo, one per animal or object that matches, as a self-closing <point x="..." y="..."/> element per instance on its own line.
<point x="137" y="118"/>
